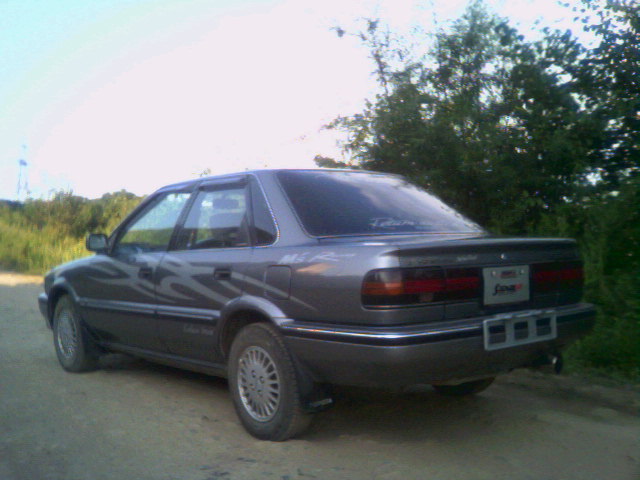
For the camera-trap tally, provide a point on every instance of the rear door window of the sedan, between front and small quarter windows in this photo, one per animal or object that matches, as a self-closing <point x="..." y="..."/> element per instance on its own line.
<point x="217" y="219"/>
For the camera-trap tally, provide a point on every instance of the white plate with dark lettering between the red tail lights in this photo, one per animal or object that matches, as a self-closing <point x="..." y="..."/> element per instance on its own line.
<point x="504" y="285"/>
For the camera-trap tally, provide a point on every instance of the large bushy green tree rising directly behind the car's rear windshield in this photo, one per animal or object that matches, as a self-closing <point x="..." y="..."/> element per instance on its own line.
<point x="484" y="119"/>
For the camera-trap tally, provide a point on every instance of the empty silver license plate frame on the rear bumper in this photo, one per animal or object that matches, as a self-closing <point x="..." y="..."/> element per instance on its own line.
<point x="511" y="330"/>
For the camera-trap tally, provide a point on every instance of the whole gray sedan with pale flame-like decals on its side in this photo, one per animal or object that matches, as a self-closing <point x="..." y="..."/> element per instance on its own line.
<point x="289" y="281"/>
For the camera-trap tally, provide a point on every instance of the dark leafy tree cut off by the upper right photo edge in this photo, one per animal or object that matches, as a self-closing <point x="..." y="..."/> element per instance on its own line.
<point x="607" y="79"/>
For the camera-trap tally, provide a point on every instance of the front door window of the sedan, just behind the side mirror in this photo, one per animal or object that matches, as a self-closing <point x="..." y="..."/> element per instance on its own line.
<point x="152" y="230"/>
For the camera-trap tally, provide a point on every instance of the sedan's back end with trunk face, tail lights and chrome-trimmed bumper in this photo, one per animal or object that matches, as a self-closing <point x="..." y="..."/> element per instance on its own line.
<point x="469" y="309"/>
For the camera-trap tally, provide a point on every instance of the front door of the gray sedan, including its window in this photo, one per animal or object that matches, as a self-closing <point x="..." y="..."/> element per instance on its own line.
<point x="120" y="299"/>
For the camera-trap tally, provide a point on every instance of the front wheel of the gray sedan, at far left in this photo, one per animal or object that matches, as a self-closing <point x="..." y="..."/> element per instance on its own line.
<point x="73" y="347"/>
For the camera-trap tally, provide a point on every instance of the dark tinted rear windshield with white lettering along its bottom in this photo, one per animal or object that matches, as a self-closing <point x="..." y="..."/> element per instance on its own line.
<point x="357" y="203"/>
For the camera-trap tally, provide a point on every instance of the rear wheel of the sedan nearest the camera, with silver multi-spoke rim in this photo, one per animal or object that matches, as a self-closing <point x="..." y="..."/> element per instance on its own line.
<point x="264" y="385"/>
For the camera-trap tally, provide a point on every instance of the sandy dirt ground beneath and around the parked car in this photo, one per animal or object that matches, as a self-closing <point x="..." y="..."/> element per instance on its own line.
<point x="135" y="420"/>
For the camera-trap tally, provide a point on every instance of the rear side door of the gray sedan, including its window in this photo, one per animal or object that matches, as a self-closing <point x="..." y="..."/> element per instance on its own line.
<point x="205" y="270"/>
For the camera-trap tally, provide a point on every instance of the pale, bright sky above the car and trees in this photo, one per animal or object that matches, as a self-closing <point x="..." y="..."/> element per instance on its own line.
<point x="102" y="95"/>
